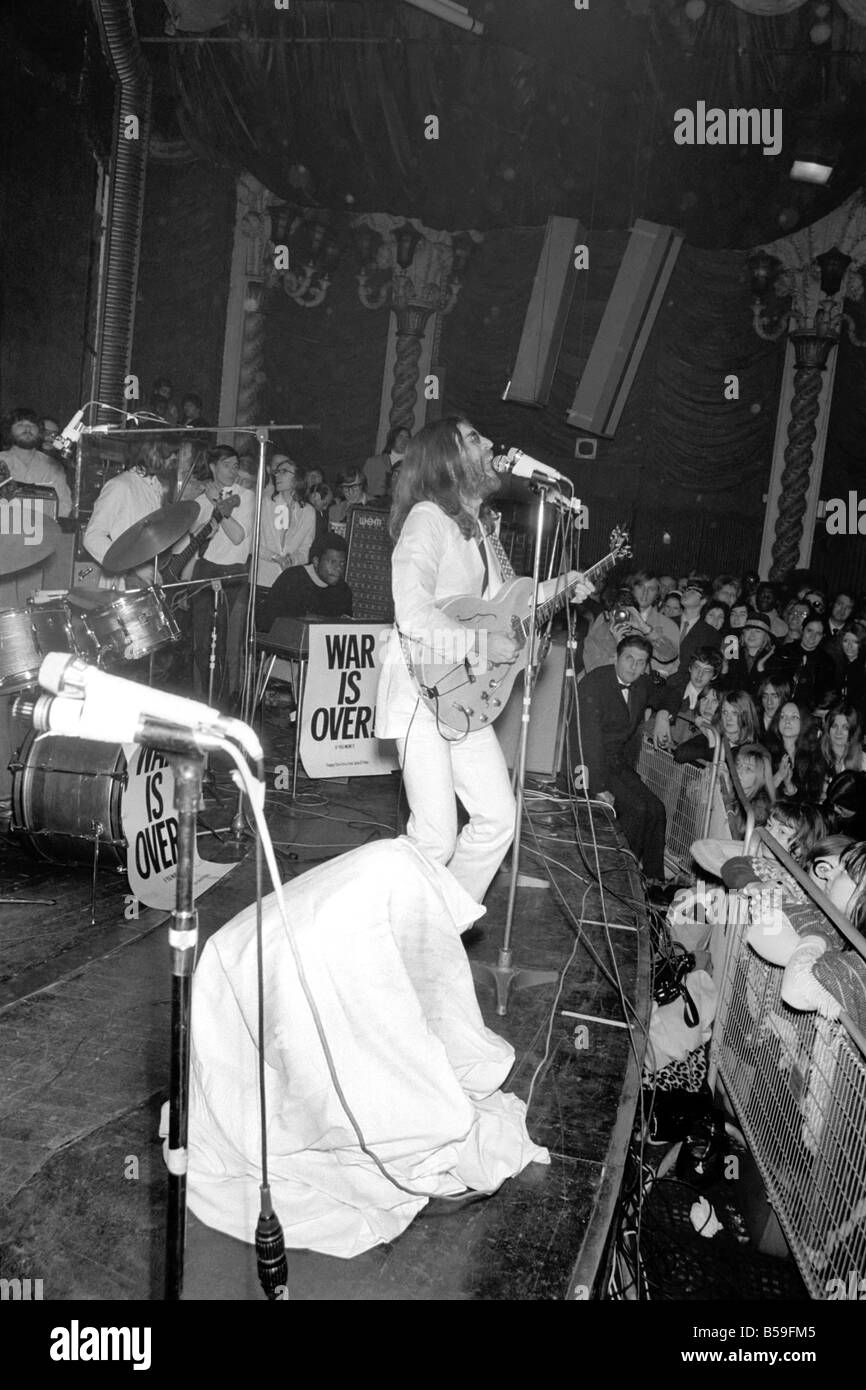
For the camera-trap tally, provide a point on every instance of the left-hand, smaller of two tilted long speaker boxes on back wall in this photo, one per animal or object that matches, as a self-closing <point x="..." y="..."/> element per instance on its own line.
<point x="547" y="315"/>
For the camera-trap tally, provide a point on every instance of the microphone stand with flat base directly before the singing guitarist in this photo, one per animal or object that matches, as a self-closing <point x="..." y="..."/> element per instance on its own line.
<point x="505" y="975"/>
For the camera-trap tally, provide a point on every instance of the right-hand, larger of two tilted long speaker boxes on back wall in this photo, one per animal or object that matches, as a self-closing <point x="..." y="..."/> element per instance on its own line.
<point x="632" y="312"/>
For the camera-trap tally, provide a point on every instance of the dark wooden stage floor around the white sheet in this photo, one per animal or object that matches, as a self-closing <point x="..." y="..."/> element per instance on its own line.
<point x="84" y="1053"/>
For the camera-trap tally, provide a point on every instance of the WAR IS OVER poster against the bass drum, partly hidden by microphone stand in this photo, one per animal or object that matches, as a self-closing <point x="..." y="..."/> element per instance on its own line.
<point x="151" y="826"/>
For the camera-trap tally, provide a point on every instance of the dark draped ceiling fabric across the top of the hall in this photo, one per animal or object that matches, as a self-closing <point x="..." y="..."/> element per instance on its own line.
<point x="550" y="112"/>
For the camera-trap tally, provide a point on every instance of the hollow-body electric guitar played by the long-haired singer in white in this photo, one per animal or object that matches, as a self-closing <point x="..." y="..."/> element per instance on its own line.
<point x="465" y="698"/>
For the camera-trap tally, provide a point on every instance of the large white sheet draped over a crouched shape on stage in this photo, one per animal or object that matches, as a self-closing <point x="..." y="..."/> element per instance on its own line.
<point x="379" y="932"/>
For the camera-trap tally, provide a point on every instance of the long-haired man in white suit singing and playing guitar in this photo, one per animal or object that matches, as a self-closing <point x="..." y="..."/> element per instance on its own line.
<point x="440" y="523"/>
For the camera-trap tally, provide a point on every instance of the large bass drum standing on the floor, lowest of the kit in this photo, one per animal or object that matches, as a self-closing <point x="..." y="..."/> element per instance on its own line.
<point x="63" y="790"/>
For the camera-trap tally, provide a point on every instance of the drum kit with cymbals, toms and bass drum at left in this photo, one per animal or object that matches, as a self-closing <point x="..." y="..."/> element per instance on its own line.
<point x="67" y="793"/>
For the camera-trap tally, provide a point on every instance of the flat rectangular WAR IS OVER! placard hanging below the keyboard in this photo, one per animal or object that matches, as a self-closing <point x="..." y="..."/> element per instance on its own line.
<point x="340" y="704"/>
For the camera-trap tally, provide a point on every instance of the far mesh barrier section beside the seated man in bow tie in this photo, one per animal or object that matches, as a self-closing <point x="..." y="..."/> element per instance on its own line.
<point x="692" y="797"/>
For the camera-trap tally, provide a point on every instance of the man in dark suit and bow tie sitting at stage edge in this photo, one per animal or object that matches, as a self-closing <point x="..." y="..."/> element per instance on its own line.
<point x="612" y="705"/>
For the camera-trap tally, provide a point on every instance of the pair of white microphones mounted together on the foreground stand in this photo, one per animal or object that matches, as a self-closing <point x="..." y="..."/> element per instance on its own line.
<point x="115" y="711"/>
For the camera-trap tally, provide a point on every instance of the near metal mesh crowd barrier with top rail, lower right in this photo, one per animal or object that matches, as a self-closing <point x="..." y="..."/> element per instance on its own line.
<point x="799" y="1086"/>
